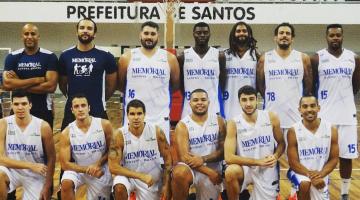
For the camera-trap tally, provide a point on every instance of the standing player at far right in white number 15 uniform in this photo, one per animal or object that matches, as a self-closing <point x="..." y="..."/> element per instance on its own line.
<point x="338" y="72"/>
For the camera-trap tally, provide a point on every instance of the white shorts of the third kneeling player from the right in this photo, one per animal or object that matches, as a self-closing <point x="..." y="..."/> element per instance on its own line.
<point x="205" y="189"/>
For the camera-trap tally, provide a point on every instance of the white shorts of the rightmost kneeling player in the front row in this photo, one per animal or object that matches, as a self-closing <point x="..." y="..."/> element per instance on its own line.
<point x="315" y="194"/>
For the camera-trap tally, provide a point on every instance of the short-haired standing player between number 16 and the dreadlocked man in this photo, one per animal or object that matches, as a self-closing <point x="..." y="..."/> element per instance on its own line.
<point x="203" y="67"/>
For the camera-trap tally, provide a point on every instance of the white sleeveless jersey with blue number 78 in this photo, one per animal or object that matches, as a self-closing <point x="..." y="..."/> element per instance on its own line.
<point x="284" y="87"/>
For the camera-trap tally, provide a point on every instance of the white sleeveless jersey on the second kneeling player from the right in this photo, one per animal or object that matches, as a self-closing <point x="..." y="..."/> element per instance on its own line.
<point x="257" y="141"/>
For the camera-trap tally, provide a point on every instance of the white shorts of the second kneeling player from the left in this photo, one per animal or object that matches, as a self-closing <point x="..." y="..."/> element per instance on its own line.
<point x="97" y="188"/>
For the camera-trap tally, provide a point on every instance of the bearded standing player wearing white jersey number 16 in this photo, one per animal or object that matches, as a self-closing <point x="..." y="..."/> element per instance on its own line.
<point x="147" y="73"/>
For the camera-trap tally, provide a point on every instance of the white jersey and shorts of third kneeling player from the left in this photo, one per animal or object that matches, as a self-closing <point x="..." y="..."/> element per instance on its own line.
<point x="141" y="155"/>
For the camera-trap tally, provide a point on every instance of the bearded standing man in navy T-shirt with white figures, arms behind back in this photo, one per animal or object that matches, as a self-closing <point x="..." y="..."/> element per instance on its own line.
<point x="87" y="69"/>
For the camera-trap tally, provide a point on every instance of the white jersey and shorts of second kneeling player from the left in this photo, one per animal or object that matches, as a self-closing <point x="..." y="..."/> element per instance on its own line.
<point x="86" y="149"/>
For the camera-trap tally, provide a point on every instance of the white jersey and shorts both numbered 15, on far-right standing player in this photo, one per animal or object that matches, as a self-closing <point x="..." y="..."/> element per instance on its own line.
<point x="336" y="98"/>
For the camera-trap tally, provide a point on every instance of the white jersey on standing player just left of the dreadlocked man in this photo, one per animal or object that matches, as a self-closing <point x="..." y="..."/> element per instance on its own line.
<point x="202" y="73"/>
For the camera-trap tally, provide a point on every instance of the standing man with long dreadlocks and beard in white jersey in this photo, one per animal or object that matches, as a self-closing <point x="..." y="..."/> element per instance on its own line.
<point x="241" y="59"/>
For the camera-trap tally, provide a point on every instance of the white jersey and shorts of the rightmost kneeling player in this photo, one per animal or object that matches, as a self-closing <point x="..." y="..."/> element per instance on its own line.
<point x="313" y="151"/>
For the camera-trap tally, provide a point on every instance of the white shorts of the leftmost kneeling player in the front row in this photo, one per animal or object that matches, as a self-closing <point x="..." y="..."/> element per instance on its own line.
<point x="32" y="185"/>
